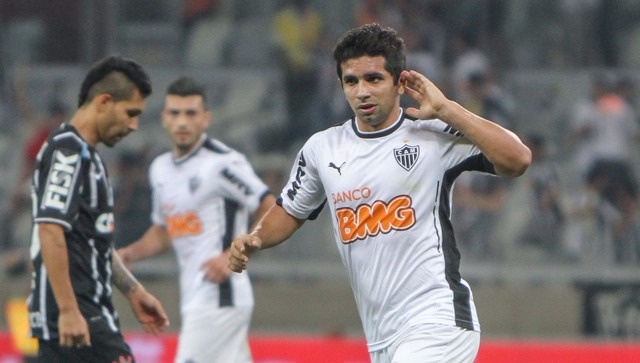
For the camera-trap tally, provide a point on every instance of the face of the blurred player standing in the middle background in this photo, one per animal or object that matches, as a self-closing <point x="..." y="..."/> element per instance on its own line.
<point x="185" y="119"/>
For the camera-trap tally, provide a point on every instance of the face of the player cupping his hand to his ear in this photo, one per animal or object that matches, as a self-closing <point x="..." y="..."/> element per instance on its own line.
<point x="371" y="92"/>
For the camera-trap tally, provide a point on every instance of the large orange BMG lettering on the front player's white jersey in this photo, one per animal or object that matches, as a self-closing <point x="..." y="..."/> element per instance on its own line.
<point x="369" y="220"/>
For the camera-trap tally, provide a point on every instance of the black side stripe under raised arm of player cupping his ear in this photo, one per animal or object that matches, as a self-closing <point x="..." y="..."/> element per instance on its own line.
<point x="461" y="294"/>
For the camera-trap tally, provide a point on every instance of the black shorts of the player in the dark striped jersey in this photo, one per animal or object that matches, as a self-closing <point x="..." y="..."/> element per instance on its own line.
<point x="105" y="348"/>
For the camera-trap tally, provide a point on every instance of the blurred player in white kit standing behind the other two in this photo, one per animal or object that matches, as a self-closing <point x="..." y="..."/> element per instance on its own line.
<point x="204" y="194"/>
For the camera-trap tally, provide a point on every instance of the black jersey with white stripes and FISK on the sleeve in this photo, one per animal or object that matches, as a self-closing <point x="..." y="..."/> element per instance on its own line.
<point x="70" y="187"/>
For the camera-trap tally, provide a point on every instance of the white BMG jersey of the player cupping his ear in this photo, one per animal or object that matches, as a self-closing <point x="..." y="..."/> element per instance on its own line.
<point x="389" y="197"/>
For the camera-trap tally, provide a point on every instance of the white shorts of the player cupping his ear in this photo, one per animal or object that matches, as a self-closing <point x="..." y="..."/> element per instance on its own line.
<point x="431" y="343"/>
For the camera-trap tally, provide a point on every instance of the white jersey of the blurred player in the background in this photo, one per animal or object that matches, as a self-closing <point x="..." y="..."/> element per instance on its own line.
<point x="204" y="199"/>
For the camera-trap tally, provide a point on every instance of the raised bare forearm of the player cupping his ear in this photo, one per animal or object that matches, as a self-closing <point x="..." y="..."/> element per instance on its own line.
<point x="502" y="147"/>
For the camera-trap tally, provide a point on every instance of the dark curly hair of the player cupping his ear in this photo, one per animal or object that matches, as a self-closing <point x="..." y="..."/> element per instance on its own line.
<point x="372" y="40"/>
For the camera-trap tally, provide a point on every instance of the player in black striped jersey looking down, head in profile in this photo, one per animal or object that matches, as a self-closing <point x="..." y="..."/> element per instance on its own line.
<point x="70" y="306"/>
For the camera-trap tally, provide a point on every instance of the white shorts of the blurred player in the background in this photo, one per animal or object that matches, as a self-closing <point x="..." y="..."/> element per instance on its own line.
<point x="215" y="335"/>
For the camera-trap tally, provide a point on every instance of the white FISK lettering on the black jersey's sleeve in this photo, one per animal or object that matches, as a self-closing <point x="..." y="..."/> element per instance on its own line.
<point x="61" y="176"/>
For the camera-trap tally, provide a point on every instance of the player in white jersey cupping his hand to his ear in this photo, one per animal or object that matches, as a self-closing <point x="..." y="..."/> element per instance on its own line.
<point x="386" y="176"/>
